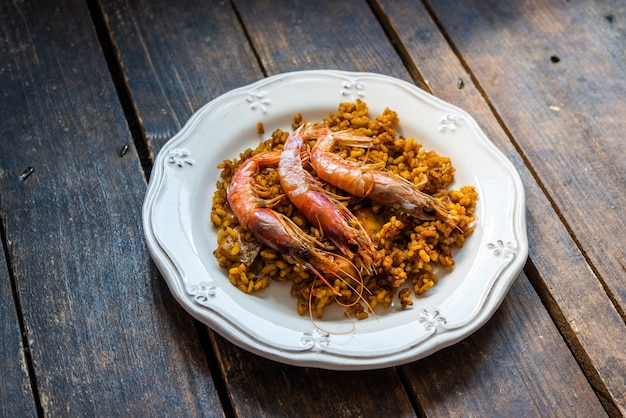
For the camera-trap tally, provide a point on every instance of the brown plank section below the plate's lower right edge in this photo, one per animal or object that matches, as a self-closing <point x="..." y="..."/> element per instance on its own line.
<point x="481" y="373"/>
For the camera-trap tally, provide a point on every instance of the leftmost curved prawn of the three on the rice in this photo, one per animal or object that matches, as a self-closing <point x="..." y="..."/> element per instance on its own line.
<point x="277" y="231"/>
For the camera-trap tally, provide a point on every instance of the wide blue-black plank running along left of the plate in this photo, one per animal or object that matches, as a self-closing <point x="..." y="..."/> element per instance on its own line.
<point x="104" y="333"/>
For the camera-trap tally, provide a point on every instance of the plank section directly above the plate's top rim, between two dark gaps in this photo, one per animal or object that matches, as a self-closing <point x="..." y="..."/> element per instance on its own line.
<point x="290" y="36"/>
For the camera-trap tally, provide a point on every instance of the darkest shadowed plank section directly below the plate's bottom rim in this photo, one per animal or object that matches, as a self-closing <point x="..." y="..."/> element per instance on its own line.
<point x="280" y="390"/>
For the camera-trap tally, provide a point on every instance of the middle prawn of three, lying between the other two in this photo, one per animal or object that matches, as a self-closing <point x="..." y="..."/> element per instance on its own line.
<point x="319" y="206"/>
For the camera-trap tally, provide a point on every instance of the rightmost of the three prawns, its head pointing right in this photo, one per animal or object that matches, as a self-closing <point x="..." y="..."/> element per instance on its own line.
<point x="368" y="180"/>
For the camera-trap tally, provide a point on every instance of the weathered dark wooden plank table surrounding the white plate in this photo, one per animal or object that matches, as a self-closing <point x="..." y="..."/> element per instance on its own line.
<point x="92" y="90"/>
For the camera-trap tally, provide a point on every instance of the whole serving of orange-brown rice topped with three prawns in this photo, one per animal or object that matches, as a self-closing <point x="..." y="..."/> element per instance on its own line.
<point x="279" y="243"/>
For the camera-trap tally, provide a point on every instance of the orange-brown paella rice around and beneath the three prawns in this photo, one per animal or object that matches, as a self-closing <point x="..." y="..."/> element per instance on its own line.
<point x="408" y="251"/>
